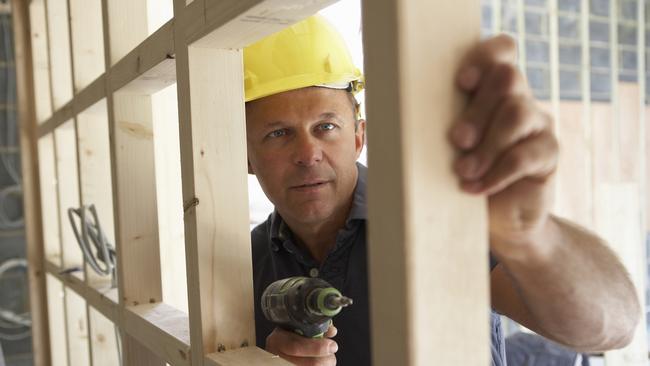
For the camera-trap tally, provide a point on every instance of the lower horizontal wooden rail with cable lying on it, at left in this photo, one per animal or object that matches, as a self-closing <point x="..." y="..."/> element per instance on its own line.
<point x="161" y="328"/>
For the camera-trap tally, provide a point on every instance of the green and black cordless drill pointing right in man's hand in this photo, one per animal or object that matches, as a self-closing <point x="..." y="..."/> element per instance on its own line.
<point x="303" y="305"/>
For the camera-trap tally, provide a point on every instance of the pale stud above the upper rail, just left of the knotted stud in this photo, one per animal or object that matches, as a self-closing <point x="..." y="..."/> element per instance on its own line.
<point x="87" y="41"/>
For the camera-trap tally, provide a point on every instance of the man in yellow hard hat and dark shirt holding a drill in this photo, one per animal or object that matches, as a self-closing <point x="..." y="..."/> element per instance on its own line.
<point x="304" y="137"/>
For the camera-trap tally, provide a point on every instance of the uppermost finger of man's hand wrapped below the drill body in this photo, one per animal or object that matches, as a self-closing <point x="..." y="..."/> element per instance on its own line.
<point x="283" y="342"/>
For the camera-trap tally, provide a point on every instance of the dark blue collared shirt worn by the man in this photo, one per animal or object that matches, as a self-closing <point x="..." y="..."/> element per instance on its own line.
<point x="276" y="256"/>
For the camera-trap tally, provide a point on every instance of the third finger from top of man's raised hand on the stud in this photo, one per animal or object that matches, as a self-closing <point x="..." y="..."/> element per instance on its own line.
<point x="516" y="119"/>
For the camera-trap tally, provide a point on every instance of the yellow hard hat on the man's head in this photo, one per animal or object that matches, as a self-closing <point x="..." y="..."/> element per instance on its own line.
<point x="309" y="53"/>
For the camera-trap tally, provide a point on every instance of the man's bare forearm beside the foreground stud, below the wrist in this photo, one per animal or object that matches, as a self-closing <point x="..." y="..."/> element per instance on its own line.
<point x="574" y="287"/>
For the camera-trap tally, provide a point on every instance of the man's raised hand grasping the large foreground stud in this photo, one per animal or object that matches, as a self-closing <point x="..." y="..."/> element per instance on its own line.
<point x="508" y="150"/>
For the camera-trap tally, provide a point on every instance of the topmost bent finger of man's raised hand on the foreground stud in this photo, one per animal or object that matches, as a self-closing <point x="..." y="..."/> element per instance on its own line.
<point x="501" y="49"/>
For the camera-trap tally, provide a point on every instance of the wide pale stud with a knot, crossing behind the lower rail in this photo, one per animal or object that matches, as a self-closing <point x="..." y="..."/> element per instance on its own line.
<point x="135" y="210"/>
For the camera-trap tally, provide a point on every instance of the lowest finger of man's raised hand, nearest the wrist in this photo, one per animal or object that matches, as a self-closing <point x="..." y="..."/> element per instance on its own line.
<point x="534" y="158"/>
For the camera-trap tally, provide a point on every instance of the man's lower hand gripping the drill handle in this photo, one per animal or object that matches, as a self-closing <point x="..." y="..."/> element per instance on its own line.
<point x="303" y="351"/>
